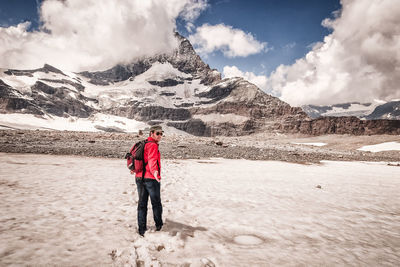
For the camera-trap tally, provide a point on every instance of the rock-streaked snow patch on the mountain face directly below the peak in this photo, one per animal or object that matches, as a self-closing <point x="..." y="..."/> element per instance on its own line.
<point x="161" y="85"/>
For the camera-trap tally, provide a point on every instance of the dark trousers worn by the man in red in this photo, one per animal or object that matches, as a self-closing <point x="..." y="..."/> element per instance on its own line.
<point x="146" y="188"/>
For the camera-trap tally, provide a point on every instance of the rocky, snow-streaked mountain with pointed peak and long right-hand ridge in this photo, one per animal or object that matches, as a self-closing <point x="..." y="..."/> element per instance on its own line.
<point x="177" y="90"/>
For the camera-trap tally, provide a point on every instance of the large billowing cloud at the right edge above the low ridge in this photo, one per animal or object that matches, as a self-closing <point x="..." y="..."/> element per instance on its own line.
<point x="359" y="61"/>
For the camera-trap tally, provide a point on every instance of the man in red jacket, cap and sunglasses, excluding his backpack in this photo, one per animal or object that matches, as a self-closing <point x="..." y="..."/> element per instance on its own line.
<point x="150" y="185"/>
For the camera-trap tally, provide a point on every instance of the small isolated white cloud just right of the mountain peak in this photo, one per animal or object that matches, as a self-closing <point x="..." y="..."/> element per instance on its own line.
<point x="232" y="42"/>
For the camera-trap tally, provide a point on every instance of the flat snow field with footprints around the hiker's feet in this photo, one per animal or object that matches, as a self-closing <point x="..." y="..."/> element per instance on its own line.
<point x="70" y="210"/>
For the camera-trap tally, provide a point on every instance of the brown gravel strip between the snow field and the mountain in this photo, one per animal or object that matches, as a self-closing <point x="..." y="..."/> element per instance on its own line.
<point x="256" y="147"/>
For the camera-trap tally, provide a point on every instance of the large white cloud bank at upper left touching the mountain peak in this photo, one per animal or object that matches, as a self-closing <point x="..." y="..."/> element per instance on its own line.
<point x="93" y="35"/>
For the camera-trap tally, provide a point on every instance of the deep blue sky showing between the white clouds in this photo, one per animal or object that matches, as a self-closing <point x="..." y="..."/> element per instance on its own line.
<point x="289" y="27"/>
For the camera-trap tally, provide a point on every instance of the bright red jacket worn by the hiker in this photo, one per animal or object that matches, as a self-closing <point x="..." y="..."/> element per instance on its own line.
<point x="152" y="159"/>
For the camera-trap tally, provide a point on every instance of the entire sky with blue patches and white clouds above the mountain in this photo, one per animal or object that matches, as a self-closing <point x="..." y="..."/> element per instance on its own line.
<point x="305" y="52"/>
